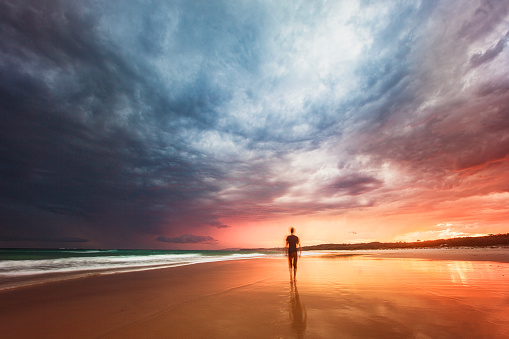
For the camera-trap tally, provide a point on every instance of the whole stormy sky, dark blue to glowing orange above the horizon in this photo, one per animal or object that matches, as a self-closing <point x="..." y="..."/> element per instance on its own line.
<point x="221" y="124"/>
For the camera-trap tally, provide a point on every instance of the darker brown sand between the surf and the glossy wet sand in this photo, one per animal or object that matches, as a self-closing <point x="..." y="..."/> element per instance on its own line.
<point x="102" y="305"/>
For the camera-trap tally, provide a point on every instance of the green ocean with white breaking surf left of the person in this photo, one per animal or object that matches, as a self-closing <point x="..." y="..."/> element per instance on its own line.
<point x="20" y="267"/>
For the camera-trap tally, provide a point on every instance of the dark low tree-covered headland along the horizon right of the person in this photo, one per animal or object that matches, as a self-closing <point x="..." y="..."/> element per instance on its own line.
<point x="484" y="241"/>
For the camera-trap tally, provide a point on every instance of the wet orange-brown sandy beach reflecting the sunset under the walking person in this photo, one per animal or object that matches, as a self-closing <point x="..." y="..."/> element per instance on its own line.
<point x="371" y="294"/>
